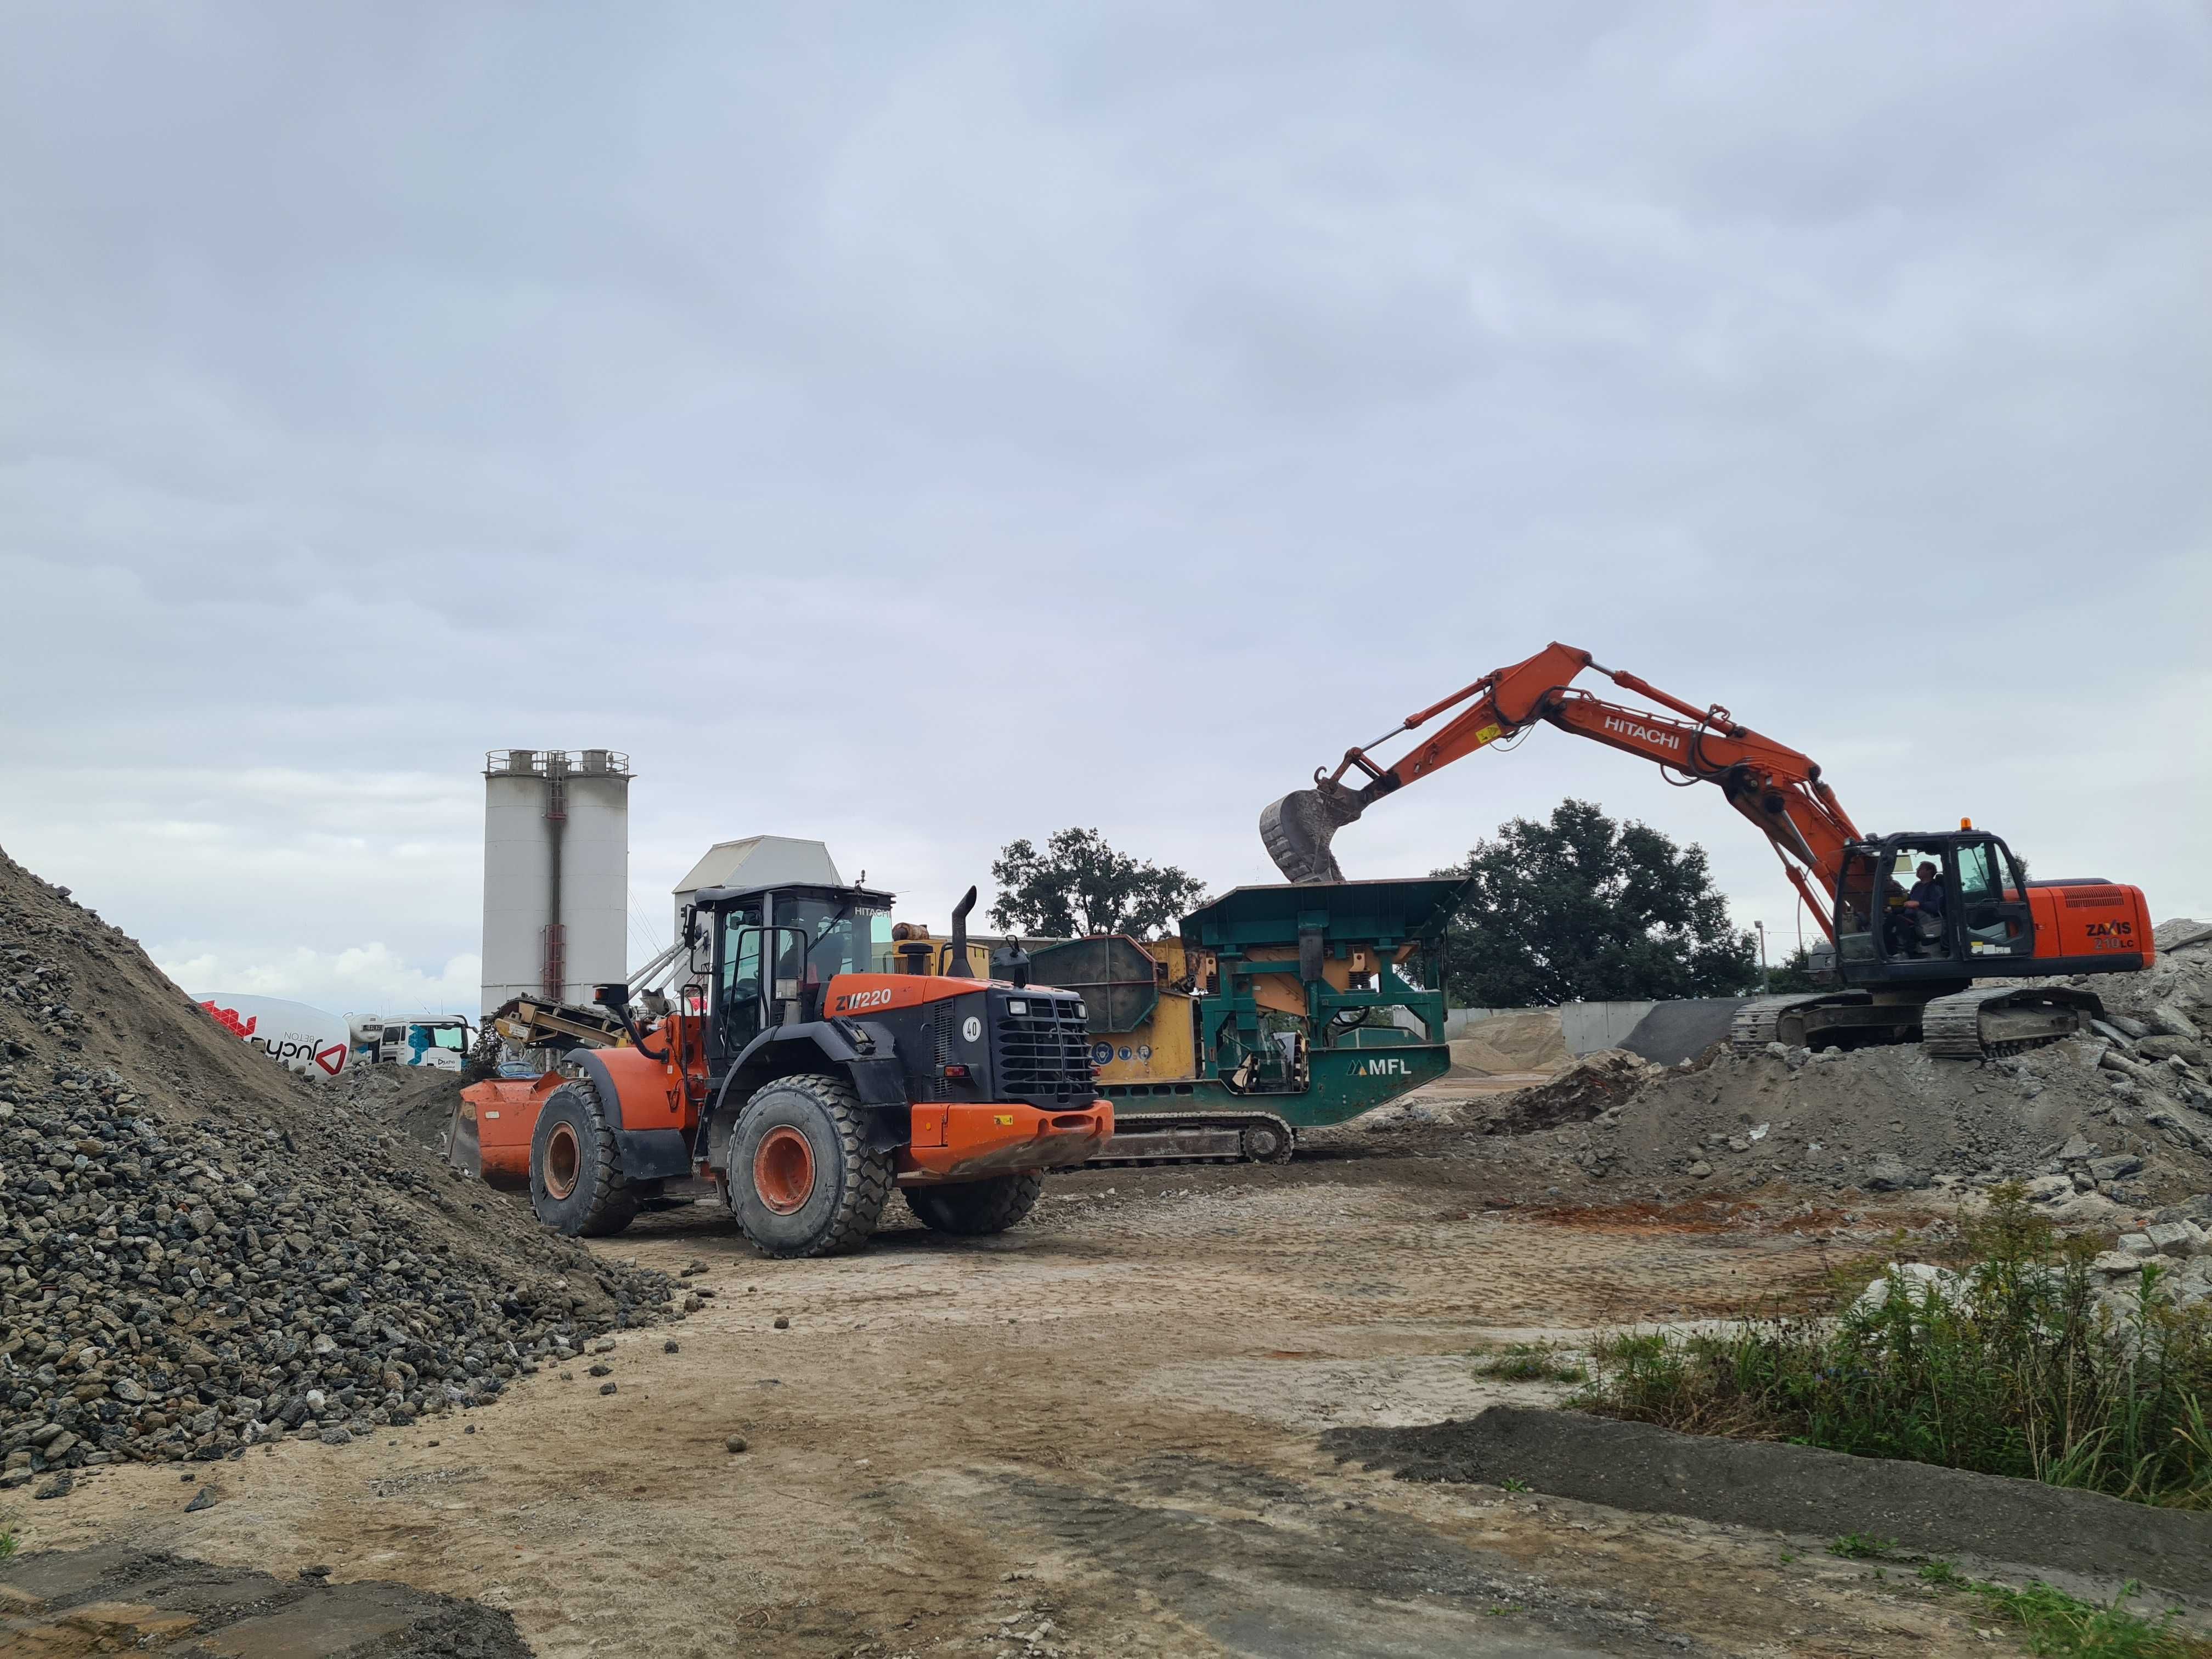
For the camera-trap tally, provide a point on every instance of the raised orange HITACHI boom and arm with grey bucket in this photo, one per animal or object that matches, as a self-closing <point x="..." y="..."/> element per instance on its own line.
<point x="1766" y="782"/>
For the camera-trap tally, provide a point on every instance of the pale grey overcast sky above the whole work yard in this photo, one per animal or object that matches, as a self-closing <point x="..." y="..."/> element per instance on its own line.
<point x="932" y="426"/>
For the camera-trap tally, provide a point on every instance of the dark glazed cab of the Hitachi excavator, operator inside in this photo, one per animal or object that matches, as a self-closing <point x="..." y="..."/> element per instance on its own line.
<point x="1932" y="908"/>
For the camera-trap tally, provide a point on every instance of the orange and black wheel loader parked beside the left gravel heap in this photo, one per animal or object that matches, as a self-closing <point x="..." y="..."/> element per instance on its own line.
<point x="804" y="1087"/>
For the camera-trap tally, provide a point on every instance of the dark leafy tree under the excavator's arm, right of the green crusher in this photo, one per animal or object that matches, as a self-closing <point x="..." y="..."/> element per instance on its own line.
<point x="1589" y="910"/>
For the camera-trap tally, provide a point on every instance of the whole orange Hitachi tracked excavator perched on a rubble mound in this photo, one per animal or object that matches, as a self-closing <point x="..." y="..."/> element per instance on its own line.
<point x="1917" y="919"/>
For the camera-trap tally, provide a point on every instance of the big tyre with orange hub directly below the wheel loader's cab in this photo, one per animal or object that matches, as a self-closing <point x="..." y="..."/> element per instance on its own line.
<point x="802" y="1176"/>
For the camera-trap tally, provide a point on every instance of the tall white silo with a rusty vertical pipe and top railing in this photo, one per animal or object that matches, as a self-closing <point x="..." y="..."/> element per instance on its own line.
<point x="556" y="873"/>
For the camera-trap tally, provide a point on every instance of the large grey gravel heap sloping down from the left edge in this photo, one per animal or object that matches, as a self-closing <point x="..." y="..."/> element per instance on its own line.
<point x="200" y="1253"/>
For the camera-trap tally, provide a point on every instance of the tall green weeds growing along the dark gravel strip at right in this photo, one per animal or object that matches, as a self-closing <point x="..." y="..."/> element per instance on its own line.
<point x="2018" y="1373"/>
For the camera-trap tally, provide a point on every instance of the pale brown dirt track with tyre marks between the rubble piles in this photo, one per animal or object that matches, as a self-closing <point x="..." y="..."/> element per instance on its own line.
<point x="1092" y="1437"/>
